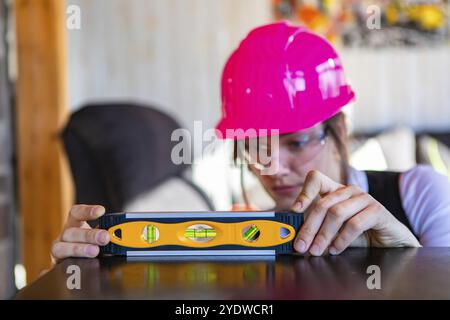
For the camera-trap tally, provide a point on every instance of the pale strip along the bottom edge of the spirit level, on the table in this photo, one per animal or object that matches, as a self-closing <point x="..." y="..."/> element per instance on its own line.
<point x="201" y="253"/>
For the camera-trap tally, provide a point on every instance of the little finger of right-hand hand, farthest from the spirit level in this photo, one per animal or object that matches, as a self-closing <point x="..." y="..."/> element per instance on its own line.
<point x="353" y="228"/>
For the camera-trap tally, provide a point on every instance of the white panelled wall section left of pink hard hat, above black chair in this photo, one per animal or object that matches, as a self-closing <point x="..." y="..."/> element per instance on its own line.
<point x="165" y="52"/>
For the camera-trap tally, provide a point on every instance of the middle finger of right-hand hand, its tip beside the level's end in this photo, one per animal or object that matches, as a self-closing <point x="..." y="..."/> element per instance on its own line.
<point x="315" y="218"/>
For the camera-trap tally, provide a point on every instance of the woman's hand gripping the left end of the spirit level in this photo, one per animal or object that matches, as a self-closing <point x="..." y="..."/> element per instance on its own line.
<point x="78" y="239"/>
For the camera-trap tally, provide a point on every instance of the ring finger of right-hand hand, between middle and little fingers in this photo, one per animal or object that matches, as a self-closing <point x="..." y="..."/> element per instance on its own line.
<point x="334" y="219"/>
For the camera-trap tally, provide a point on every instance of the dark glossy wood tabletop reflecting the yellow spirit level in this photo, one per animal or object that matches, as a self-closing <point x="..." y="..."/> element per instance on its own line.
<point x="422" y="273"/>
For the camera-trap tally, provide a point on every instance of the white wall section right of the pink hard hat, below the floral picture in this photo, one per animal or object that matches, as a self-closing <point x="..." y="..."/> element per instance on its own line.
<point x="399" y="87"/>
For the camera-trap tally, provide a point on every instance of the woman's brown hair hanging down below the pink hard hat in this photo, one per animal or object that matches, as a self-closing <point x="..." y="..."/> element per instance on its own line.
<point x="337" y="129"/>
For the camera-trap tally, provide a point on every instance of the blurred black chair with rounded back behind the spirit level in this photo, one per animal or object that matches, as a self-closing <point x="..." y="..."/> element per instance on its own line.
<point x="119" y="151"/>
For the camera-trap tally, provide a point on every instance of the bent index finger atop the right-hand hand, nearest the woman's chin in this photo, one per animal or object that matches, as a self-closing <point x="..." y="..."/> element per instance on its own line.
<point x="315" y="184"/>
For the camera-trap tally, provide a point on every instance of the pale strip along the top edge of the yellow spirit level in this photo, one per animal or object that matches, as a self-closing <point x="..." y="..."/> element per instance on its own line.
<point x="196" y="215"/>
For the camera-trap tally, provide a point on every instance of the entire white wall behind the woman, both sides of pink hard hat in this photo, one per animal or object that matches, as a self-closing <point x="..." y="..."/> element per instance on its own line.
<point x="170" y="53"/>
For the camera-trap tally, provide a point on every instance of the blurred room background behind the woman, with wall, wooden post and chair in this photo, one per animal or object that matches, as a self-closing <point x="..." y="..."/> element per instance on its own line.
<point x="91" y="91"/>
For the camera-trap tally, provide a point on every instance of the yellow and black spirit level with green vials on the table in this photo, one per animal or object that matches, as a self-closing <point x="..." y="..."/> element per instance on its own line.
<point x="200" y="233"/>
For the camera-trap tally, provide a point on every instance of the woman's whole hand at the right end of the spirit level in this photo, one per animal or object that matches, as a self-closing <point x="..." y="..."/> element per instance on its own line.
<point x="338" y="216"/>
